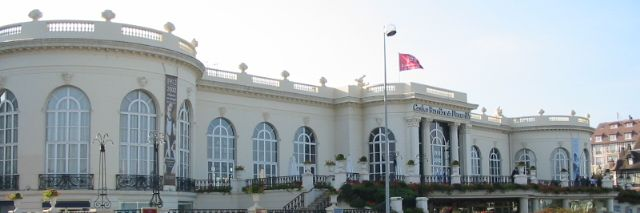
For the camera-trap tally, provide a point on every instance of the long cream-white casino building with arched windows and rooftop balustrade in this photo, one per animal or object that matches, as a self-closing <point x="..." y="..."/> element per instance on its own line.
<point x="65" y="81"/>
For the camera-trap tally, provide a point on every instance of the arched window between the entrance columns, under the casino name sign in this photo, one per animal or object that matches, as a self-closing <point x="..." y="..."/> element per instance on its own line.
<point x="439" y="149"/>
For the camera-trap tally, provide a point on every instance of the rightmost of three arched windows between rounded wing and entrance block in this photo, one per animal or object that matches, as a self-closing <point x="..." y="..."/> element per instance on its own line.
<point x="304" y="149"/>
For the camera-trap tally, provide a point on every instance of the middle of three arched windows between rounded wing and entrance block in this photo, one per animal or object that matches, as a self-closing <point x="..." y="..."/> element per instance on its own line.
<point x="265" y="151"/>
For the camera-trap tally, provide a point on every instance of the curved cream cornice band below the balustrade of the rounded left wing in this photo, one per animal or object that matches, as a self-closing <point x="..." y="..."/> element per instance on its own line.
<point x="101" y="45"/>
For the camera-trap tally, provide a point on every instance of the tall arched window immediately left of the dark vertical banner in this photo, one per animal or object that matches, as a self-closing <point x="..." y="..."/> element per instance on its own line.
<point x="137" y="120"/>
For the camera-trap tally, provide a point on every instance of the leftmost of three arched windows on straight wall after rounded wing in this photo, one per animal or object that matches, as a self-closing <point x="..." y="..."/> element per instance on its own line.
<point x="221" y="149"/>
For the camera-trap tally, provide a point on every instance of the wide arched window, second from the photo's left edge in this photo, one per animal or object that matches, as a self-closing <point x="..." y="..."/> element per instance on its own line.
<point x="68" y="121"/>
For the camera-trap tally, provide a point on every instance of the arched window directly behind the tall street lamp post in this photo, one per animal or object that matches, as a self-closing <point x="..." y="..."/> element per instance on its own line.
<point x="377" y="154"/>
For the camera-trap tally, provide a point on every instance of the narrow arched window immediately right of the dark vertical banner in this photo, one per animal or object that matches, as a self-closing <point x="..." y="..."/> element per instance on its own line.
<point x="184" y="143"/>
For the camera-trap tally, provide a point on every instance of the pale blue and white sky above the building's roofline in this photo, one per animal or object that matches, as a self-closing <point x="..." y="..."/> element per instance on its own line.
<point x="520" y="55"/>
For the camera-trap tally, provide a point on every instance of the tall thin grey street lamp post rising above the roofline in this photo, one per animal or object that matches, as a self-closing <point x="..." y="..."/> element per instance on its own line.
<point x="389" y="31"/>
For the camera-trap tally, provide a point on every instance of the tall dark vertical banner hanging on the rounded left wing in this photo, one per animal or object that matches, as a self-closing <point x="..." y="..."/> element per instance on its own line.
<point x="170" y="101"/>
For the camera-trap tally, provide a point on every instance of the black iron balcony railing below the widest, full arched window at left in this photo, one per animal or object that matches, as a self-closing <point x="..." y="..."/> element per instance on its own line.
<point x="66" y="181"/>
